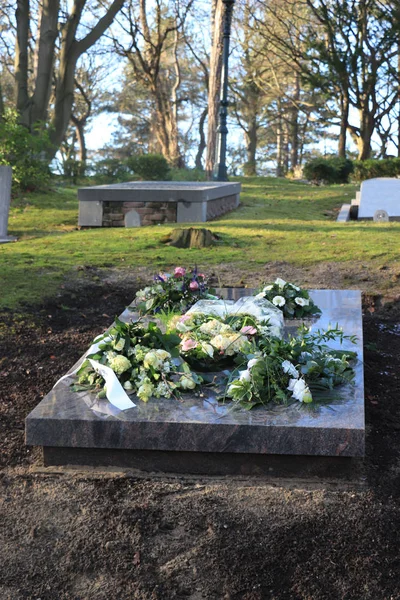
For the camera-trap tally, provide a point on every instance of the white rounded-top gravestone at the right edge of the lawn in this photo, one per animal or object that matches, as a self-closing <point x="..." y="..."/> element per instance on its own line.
<point x="380" y="194"/>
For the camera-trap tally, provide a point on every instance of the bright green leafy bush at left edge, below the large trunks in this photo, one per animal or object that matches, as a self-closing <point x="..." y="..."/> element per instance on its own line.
<point x="25" y="152"/>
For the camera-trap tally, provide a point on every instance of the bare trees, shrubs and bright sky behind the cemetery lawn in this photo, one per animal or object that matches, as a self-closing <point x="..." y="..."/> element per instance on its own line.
<point x="307" y="78"/>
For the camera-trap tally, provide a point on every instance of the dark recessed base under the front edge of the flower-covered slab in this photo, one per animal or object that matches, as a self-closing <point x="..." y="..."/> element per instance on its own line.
<point x="206" y="463"/>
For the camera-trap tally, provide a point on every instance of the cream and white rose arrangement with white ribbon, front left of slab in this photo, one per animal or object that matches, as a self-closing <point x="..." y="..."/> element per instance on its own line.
<point x="145" y="361"/>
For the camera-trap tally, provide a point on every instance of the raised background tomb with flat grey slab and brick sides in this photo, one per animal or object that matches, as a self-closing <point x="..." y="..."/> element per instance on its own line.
<point x="190" y="202"/>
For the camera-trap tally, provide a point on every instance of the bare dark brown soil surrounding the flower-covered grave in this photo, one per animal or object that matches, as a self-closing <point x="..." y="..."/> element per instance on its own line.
<point x="88" y="535"/>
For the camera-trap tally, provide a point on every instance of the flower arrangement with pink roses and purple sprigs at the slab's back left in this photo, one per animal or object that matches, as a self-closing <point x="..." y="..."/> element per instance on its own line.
<point x="173" y="292"/>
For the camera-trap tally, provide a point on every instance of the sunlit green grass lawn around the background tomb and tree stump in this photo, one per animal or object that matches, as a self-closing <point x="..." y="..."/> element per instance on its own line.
<point x="278" y="220"/>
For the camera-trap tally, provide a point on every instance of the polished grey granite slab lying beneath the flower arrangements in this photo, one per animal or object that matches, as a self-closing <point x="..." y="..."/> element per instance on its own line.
<point x="201" y="424"/>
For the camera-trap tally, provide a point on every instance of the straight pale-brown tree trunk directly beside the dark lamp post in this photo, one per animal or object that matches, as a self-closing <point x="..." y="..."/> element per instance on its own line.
<point x="214" y="90"/>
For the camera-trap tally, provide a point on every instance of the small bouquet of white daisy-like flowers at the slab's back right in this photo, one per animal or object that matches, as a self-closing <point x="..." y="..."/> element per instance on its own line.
<point x="294" y="302"/>
